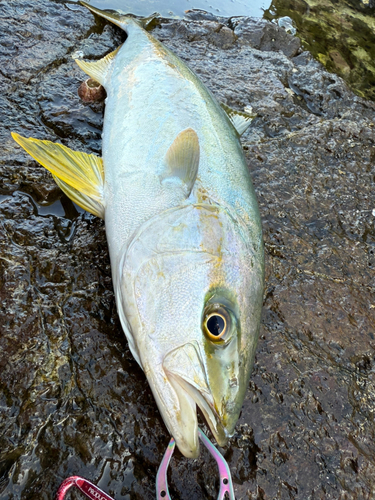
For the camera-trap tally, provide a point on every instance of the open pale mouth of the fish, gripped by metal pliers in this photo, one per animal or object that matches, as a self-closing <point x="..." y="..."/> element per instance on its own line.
<point x="187" y="375"/>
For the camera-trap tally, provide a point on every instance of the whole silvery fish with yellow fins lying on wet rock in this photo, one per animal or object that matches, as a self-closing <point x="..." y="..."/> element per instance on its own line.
<point x="183" y="229"/>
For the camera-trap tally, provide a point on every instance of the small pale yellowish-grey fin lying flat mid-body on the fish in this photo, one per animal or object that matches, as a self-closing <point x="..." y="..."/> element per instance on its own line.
<point x="182" y="159"/>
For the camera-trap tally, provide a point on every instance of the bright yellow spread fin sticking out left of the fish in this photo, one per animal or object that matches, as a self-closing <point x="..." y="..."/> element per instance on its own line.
<point x="79" y="175"/>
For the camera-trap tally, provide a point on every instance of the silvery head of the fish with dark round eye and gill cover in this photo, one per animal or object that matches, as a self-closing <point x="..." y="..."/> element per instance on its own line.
<point x="191" y="294"/>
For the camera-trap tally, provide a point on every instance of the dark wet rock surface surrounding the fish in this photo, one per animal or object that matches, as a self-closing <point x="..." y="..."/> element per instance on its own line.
<point x="72" y="399"/>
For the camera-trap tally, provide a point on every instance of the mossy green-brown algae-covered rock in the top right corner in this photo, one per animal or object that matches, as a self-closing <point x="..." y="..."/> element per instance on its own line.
<point x="340" y="35"/>
